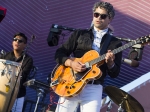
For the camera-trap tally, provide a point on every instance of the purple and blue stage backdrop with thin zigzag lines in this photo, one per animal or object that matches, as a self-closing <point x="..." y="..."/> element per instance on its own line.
<point x="34" y="17"/>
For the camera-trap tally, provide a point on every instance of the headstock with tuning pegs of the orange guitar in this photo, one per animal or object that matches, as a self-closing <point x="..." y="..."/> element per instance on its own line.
<point x="144" y="40"/>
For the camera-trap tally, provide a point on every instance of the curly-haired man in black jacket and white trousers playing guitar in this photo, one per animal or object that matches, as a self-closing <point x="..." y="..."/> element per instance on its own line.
<point x="82" y="41"/>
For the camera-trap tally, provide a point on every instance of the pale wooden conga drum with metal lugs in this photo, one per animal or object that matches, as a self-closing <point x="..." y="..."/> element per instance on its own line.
<point x="7" y="82"/>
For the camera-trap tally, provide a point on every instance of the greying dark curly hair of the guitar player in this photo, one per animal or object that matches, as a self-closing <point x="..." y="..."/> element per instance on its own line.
<point x="107" y="6"/>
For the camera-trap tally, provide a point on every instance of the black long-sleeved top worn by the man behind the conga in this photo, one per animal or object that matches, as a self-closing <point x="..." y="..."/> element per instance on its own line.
<point x="26" y="67"/>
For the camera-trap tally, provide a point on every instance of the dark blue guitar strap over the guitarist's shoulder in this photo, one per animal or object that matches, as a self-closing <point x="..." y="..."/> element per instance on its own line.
<point x="105" y="44"/>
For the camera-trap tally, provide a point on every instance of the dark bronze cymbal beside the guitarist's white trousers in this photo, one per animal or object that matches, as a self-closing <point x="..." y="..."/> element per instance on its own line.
<point x="118" y="96"/>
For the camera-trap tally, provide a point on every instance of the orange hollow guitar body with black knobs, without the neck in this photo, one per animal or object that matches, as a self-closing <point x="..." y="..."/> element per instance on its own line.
<point x="68" y="83"/>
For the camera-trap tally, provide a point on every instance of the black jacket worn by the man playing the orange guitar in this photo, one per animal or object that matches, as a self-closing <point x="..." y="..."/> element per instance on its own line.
<point x="81" y="42"/>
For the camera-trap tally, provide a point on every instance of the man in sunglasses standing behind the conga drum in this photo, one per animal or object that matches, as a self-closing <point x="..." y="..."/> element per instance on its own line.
<point x="19" y="44"/>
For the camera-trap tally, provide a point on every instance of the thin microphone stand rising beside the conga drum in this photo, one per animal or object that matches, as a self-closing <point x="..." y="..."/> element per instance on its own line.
<point x="24" y="54"/>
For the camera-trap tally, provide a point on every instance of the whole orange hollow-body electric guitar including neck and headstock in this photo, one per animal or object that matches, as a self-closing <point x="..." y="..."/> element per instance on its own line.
<point x="67" y="83"/>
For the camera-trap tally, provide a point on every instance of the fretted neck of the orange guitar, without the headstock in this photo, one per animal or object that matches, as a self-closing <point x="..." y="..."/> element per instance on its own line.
<point x="115" y="51"/>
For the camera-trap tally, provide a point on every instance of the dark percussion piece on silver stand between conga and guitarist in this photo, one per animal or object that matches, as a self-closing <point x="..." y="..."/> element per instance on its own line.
<point x="40" y="87"/>
